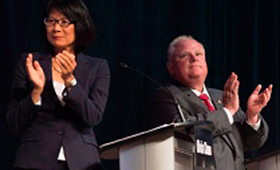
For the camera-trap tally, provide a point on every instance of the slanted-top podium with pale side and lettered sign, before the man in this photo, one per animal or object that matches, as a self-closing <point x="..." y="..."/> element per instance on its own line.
<point x="175" y="146"/>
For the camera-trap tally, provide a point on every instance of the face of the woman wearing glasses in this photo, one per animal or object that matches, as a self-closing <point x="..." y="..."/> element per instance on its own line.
<point x="61" y="37"/>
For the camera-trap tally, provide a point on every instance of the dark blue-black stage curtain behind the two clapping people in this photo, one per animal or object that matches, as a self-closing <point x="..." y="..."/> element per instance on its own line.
<point x="240" y="36"/>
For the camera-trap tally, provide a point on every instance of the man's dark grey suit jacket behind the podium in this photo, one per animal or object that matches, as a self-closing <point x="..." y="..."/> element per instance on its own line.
<point x="229" y="141"/>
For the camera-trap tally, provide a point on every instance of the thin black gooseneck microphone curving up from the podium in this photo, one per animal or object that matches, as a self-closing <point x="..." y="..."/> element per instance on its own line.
<point x="125" y="66"/>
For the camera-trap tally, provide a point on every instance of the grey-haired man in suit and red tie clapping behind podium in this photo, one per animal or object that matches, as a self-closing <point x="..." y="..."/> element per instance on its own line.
<point x="233" y="130"/>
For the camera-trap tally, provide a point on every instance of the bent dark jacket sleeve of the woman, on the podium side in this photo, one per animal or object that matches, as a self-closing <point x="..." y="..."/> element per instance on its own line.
<point x="89" y="104"/>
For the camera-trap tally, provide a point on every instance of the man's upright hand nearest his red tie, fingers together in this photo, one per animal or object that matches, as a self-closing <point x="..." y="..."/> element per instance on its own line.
<point x="230" y="94"/>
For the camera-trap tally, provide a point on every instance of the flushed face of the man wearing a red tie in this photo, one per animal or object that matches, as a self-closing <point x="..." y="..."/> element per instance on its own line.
<point x="188" y="64"/>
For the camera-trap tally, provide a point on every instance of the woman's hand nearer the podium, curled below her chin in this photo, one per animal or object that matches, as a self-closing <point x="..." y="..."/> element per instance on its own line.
<point x="67" y="64"/>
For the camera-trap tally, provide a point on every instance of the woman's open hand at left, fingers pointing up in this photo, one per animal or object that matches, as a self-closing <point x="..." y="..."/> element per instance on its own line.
<point x="37" y="76"/>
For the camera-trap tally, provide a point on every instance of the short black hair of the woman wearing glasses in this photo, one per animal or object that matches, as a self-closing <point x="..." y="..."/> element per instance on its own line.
<point x="77" y="12"/>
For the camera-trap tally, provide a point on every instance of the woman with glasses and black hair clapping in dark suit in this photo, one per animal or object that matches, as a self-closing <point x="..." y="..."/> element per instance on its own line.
<point x="59" y="96"/>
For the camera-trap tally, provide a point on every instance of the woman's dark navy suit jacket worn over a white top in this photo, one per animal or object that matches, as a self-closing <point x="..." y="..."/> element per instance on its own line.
<point x="46" y="128"/>
